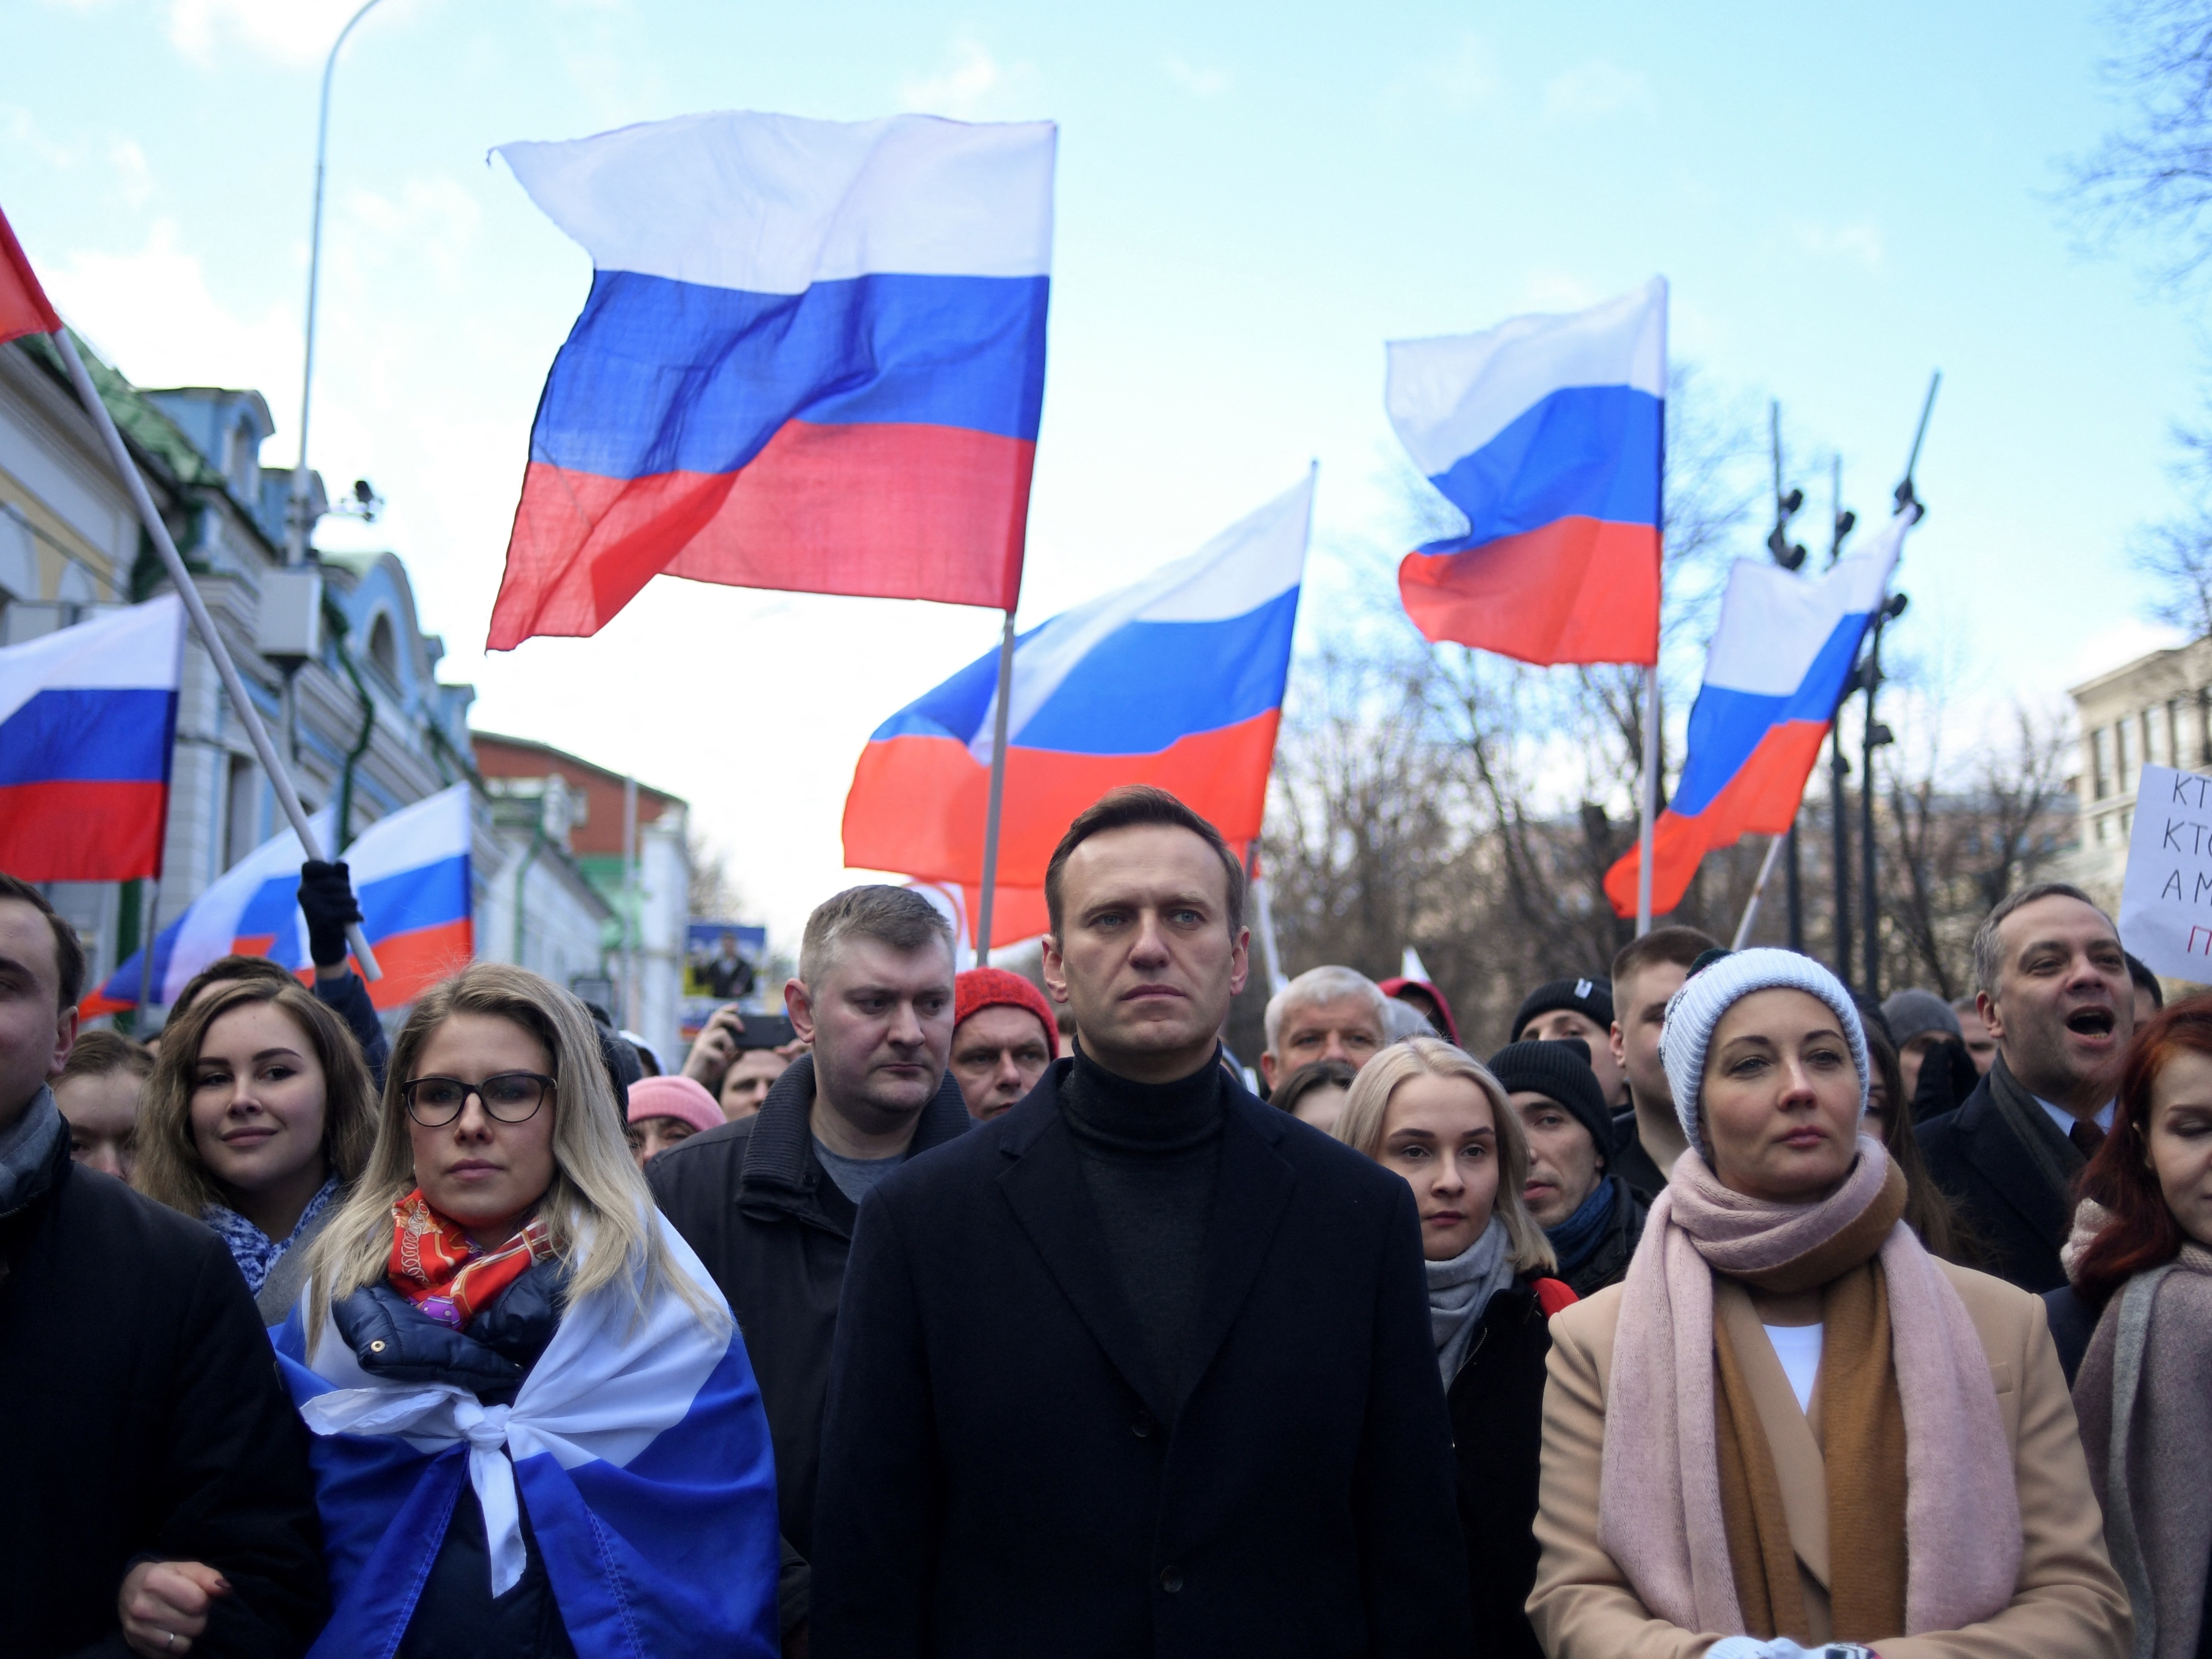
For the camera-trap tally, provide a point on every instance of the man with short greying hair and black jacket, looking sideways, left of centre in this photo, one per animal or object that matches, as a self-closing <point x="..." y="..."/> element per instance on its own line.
<point x="769" y="1202"/>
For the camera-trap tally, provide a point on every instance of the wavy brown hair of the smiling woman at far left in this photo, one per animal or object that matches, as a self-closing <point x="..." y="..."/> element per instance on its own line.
<point x="169" y="1165"/>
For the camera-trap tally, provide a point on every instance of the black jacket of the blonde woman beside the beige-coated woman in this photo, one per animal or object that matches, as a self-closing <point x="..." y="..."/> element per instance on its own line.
<point x="1496" y="1437"/>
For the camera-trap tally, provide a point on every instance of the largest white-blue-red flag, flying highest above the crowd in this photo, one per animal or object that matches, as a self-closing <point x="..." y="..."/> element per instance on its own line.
<point x="813" y="359"/>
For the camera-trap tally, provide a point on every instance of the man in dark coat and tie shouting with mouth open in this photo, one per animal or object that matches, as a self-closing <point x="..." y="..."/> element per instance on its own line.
<point x="2058" y="1001"/>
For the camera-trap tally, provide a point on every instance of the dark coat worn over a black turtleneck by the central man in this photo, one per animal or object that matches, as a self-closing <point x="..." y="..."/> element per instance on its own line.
<point x="997" y="1481"/>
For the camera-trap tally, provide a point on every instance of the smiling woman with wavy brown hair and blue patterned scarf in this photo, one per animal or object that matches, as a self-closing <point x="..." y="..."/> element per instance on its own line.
<point x="258" y="1118"/>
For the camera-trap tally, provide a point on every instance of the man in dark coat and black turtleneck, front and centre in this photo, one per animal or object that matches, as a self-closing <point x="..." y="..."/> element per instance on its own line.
<point x="1138" y="1368"/>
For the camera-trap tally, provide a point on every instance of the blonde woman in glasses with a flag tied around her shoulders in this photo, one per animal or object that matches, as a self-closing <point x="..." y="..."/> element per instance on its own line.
<point x="536" y="1426"/>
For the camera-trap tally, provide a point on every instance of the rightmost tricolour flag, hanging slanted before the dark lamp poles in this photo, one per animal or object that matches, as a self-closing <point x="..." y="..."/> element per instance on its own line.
<point x="1773" y="682"/>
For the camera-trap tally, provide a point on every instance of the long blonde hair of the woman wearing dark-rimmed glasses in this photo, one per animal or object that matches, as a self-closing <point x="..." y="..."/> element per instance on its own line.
<point x="598" y="1211"/>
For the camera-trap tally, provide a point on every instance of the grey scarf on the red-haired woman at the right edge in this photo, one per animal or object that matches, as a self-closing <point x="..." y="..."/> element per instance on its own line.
<point x="2142" y="1399"/>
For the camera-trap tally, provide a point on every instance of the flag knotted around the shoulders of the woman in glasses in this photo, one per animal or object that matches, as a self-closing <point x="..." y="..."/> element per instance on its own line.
<point x="636" y="1446"/>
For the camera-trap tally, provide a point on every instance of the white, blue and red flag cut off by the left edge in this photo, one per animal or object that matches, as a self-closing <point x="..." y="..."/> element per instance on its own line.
<point x="87" y="727"/>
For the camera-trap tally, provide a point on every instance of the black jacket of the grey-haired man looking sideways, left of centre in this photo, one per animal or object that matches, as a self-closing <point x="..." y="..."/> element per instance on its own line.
<point x="775" y="1231"/>
